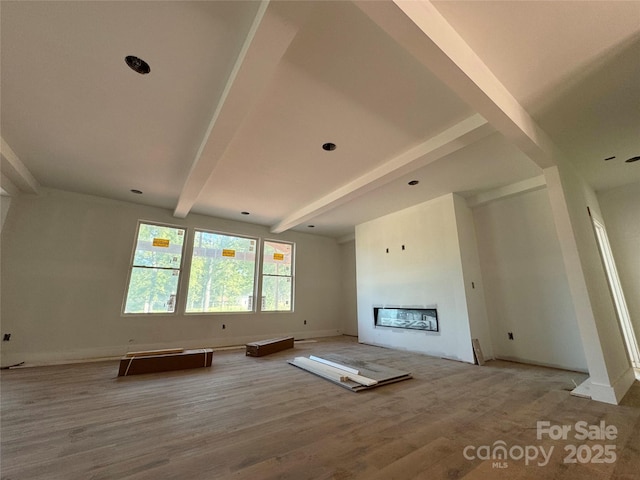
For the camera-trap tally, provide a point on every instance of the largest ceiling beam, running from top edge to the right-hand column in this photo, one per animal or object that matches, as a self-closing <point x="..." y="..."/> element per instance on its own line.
<point x="437" y="45"/>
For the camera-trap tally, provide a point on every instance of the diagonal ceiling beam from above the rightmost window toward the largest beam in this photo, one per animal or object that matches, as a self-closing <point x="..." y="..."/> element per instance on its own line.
<point x="459" y="136"/>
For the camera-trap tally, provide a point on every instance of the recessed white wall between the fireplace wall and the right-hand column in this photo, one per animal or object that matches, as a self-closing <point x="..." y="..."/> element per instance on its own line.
<point x="526" y="287"/>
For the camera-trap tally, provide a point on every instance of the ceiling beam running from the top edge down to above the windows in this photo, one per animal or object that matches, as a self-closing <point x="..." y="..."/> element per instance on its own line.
<point x="267" y="41"/>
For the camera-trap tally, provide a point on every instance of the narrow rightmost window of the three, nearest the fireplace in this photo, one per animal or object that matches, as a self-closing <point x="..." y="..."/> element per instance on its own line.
<point x="277" y="277"/>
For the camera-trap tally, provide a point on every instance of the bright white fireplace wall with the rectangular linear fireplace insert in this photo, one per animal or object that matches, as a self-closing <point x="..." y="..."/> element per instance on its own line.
<point x="427" y="274"/>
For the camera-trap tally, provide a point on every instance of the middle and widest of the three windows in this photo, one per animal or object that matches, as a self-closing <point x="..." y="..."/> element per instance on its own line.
<point x="223" y="272"/>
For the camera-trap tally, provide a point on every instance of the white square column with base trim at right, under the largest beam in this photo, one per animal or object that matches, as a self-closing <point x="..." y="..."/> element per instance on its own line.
<point x="610" y="372"/>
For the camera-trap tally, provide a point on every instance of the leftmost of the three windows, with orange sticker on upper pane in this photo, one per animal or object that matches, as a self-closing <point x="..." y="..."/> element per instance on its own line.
<point x="155" y="269"/>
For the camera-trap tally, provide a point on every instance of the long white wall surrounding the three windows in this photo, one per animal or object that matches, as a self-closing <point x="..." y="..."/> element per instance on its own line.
<point x="65" y="260"/>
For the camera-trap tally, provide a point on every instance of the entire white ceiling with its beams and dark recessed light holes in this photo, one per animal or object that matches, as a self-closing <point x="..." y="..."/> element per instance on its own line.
<point x="242" y="95"/>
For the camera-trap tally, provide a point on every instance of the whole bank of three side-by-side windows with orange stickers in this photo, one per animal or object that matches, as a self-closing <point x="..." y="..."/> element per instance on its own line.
<point x="222" y="273"/>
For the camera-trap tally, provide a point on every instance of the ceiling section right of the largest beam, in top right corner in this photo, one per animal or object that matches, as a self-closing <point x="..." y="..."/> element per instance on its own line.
<point x="575" y="67"/>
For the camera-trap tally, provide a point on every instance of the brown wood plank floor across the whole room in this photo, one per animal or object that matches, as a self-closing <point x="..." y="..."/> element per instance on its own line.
<point x="261" y="418"/>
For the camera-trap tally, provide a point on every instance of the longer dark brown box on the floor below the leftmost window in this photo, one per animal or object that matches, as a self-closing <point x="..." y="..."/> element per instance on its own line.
<point x="141" y="363"/>
